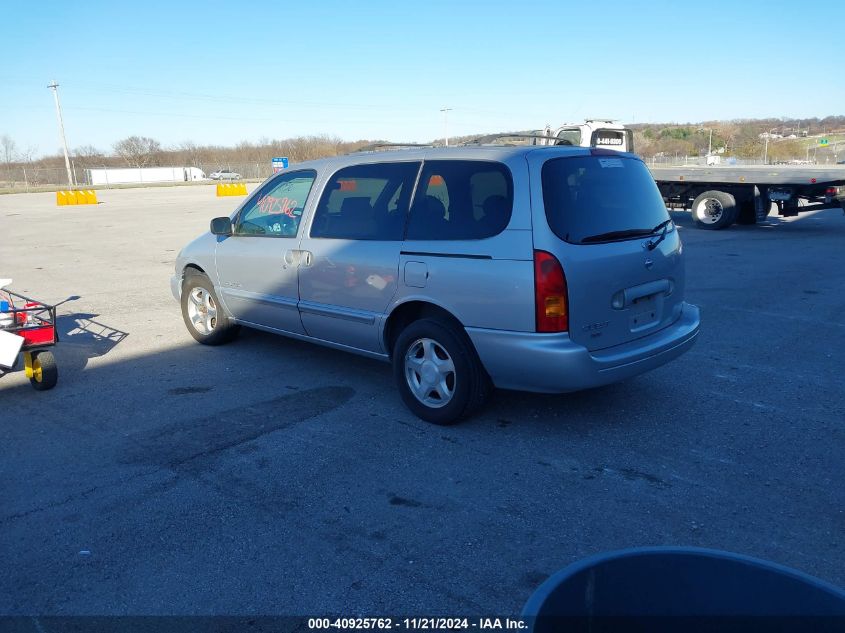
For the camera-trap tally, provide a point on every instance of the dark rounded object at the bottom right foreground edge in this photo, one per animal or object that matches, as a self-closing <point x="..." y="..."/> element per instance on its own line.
<point x="683" y="589"/>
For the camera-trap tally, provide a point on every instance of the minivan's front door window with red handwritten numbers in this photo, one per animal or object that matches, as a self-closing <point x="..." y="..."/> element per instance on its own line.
<point x="276" y="210"/>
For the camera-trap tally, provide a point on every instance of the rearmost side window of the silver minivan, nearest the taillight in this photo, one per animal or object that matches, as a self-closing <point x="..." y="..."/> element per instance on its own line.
<point x="461" y="200"/>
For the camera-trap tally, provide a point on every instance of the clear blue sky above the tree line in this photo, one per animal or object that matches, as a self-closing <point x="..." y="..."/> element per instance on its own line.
<point x="222" y="72"/>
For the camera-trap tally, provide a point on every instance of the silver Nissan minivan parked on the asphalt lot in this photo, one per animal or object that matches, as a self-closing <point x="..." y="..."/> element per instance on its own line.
<point x="546" y="269"/>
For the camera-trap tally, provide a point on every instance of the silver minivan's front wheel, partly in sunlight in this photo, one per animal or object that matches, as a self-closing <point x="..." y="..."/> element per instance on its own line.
<point x="203" y="315"/>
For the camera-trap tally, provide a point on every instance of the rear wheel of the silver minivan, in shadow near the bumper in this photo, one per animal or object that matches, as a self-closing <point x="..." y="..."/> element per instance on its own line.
<point x="438" y="373"/>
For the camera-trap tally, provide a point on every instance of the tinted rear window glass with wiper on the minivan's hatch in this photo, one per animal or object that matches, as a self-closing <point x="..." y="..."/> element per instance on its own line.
<point x="601" y="198"/>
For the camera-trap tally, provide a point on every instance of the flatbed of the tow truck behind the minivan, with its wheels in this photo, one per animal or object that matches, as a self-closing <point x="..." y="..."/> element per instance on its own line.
<point x="719" y="196"/>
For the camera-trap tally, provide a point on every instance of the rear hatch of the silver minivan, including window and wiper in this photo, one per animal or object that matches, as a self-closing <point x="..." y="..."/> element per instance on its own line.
<point x="605" y="221"/>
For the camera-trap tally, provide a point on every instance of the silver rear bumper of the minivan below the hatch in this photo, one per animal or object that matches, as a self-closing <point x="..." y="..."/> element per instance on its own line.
<point x="552" y="363"/>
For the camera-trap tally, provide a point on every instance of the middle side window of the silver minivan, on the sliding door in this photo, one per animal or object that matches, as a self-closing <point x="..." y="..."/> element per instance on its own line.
<point x="366" y="202"/>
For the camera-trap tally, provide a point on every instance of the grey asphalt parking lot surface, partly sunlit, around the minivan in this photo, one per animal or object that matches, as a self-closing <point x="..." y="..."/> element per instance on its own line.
<point x="272" y="476"/>
